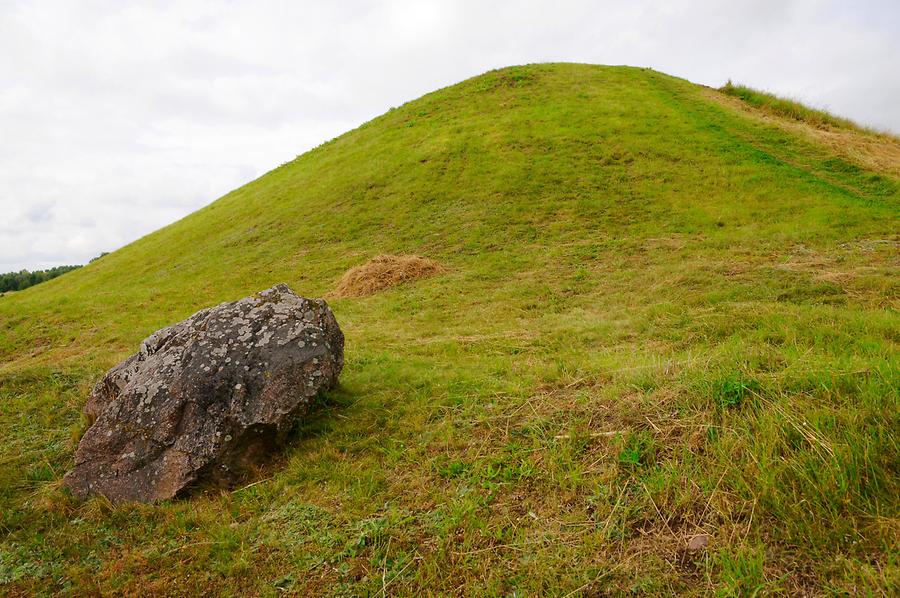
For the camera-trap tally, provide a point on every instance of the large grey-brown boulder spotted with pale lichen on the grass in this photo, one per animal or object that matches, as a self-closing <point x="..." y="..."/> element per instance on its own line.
<point x="205" y="399"/>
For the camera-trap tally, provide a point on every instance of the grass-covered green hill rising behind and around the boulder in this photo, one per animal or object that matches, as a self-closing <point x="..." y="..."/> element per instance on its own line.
<point x="661" y="312"/>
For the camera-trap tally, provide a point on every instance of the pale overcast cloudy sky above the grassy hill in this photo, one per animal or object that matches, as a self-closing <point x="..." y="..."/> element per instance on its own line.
<point x="119" y="117"/>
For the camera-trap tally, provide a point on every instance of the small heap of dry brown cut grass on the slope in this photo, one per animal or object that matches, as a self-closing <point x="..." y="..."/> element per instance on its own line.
<point x="382" y="272"/>
